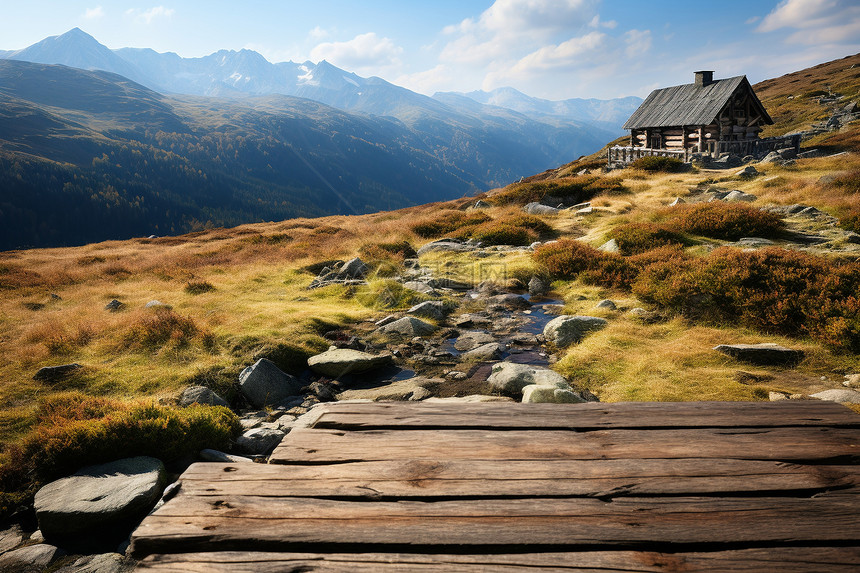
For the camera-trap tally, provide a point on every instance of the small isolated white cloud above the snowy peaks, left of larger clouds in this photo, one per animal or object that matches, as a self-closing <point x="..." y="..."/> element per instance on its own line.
<point x="365" y="52"/>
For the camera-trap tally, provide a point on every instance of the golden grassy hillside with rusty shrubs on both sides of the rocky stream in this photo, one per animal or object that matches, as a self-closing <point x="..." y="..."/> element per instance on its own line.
<point x="235" y="295"/>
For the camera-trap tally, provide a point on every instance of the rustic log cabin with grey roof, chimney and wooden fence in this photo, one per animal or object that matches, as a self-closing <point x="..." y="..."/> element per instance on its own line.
<point x="707" y="116"/>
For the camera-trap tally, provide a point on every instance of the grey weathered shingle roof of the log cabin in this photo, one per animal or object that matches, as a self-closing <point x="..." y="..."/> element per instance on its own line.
<point x="689" y="104"/>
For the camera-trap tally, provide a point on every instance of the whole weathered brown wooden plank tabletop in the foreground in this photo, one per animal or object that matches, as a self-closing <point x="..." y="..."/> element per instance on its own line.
<point x="514" y="487"/>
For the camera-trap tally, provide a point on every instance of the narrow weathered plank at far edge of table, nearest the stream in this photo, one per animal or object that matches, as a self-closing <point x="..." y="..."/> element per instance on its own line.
<point x="380" y="415"/>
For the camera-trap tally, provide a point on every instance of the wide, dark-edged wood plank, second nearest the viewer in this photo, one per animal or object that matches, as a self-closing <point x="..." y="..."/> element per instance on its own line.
<point x="194" y="523"/>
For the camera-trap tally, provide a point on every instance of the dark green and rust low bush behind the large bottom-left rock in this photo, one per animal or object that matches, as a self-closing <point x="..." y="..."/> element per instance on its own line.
<point x="74" y="430"/>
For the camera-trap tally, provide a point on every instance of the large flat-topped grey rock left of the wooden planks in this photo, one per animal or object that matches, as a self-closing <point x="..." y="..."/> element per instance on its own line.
<point x="106" y="497"/>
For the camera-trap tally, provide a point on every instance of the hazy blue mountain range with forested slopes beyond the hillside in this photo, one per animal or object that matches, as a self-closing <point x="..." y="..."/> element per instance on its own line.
<point x="253" y="140"/>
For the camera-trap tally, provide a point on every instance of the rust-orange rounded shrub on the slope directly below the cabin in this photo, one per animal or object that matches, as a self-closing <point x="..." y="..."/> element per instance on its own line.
<point x="728" y="221"/>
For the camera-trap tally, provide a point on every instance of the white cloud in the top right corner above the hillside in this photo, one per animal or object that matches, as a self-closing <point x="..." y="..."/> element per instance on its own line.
<point x="816" y="21"/>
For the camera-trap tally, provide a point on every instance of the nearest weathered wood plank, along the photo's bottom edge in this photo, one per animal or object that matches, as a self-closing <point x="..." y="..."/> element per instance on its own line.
<point x="782" y="559"/>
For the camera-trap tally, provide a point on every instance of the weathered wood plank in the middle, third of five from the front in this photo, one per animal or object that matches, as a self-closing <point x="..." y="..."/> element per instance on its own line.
<point x="496" y="478"/>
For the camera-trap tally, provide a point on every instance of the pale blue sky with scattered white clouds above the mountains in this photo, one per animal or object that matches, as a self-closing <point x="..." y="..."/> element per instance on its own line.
<point x="554" y="49"/>
